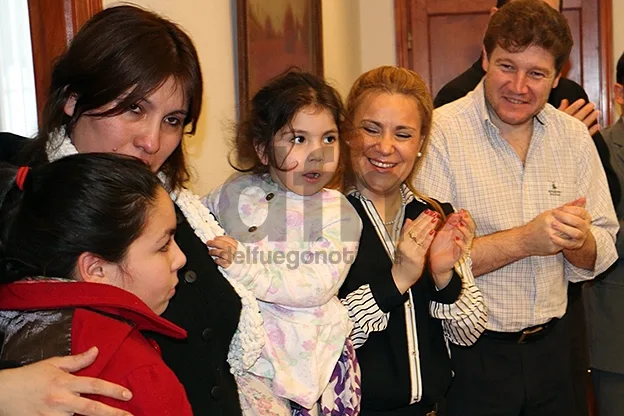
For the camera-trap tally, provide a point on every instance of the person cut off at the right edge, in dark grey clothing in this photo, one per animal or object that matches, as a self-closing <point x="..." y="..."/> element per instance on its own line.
<point x="604" y="297"/>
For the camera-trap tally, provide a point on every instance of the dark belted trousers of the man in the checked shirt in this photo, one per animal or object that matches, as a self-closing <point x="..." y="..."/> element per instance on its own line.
<point x="498" y="377"/>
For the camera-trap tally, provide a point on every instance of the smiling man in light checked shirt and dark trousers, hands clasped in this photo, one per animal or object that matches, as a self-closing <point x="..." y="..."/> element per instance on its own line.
<point x="532" y="179"/>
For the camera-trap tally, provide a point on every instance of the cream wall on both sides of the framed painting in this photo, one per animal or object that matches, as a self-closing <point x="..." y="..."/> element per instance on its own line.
<point x="349" y="48"/>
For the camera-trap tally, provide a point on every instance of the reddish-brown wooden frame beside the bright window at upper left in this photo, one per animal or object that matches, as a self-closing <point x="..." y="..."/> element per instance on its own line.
<point x="52" y="26"/>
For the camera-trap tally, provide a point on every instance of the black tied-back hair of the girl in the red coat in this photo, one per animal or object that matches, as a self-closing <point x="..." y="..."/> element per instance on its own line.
<point x="92" y="202"/>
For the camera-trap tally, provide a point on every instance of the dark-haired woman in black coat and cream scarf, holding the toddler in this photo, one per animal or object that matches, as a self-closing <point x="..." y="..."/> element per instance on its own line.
<point x="131" y="83"/>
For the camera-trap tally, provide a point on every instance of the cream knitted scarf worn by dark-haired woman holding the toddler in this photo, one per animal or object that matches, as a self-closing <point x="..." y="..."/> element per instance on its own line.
<point x="248" y="340"/>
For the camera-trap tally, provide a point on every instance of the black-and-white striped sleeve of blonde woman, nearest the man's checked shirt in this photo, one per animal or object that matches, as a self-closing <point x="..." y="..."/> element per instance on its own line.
<point x="465" y="320"/>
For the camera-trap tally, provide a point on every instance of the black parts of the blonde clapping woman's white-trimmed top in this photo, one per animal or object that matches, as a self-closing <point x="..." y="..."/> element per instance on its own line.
<point x="384" y="356"/>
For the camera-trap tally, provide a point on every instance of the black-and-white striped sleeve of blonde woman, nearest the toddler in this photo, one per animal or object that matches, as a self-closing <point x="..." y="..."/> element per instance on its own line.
<point x="365" y="313"/>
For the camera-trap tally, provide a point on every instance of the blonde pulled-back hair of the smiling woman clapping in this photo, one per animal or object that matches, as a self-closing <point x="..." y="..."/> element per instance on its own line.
<point x="391" y="80"/>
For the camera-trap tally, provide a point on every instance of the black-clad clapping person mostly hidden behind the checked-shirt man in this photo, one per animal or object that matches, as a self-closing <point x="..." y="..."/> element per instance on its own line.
<point x="570" y="97"/>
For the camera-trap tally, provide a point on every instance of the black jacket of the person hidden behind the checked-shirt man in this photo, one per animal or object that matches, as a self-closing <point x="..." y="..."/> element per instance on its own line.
<point x="568" y="89"/>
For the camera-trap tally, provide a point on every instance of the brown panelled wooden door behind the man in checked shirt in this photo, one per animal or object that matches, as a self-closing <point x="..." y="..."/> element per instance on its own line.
<point x="440" y="39"/>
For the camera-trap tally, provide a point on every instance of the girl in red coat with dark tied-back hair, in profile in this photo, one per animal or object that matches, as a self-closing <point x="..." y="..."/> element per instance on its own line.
<point x="87" y="258"/>
